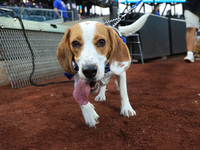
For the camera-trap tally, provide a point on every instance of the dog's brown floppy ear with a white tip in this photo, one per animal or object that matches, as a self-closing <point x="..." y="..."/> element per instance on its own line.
<point x="119" y="57"/>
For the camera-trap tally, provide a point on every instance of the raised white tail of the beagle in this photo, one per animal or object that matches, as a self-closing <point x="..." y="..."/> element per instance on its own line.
<point x="134" y="27"/>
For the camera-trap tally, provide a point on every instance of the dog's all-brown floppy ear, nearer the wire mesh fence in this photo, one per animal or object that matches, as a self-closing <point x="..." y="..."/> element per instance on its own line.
<point x="64" y="54"/>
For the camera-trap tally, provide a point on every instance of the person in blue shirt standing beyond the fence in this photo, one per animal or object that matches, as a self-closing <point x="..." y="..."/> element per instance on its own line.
<point x="60" y="5"/>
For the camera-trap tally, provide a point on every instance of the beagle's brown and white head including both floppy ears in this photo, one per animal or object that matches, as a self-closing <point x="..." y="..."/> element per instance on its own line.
<point x="91" y="45"/>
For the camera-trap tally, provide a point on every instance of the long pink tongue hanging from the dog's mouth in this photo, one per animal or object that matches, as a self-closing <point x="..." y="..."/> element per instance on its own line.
<point x="81" y="92"/>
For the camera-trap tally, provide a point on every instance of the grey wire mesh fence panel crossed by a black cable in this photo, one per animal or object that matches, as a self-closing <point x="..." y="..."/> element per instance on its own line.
<point x="17" y="59"/>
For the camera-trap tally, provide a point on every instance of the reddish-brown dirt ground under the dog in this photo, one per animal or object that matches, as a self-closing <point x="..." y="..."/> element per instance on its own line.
<point x="165" y="95"/>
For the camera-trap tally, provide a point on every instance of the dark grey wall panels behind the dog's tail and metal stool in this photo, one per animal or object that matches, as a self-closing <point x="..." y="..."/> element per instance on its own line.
<point x="160" y="36"/>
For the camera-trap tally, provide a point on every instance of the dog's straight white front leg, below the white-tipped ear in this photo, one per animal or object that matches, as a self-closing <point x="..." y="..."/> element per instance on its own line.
<point x="126" y="108"/>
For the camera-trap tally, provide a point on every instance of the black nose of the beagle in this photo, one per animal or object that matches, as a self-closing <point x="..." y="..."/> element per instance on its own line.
<point x="89" y="71"/>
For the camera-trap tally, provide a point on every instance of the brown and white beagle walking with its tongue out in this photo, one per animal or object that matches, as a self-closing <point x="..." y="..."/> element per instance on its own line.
<point x="90" y="46"/>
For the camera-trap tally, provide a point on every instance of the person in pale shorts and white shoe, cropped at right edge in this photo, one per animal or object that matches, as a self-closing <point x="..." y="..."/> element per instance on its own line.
<point x="192" y="16"/>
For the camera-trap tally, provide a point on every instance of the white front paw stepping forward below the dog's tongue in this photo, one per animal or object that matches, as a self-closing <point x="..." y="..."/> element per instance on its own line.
<point x="89" y="114"/>
